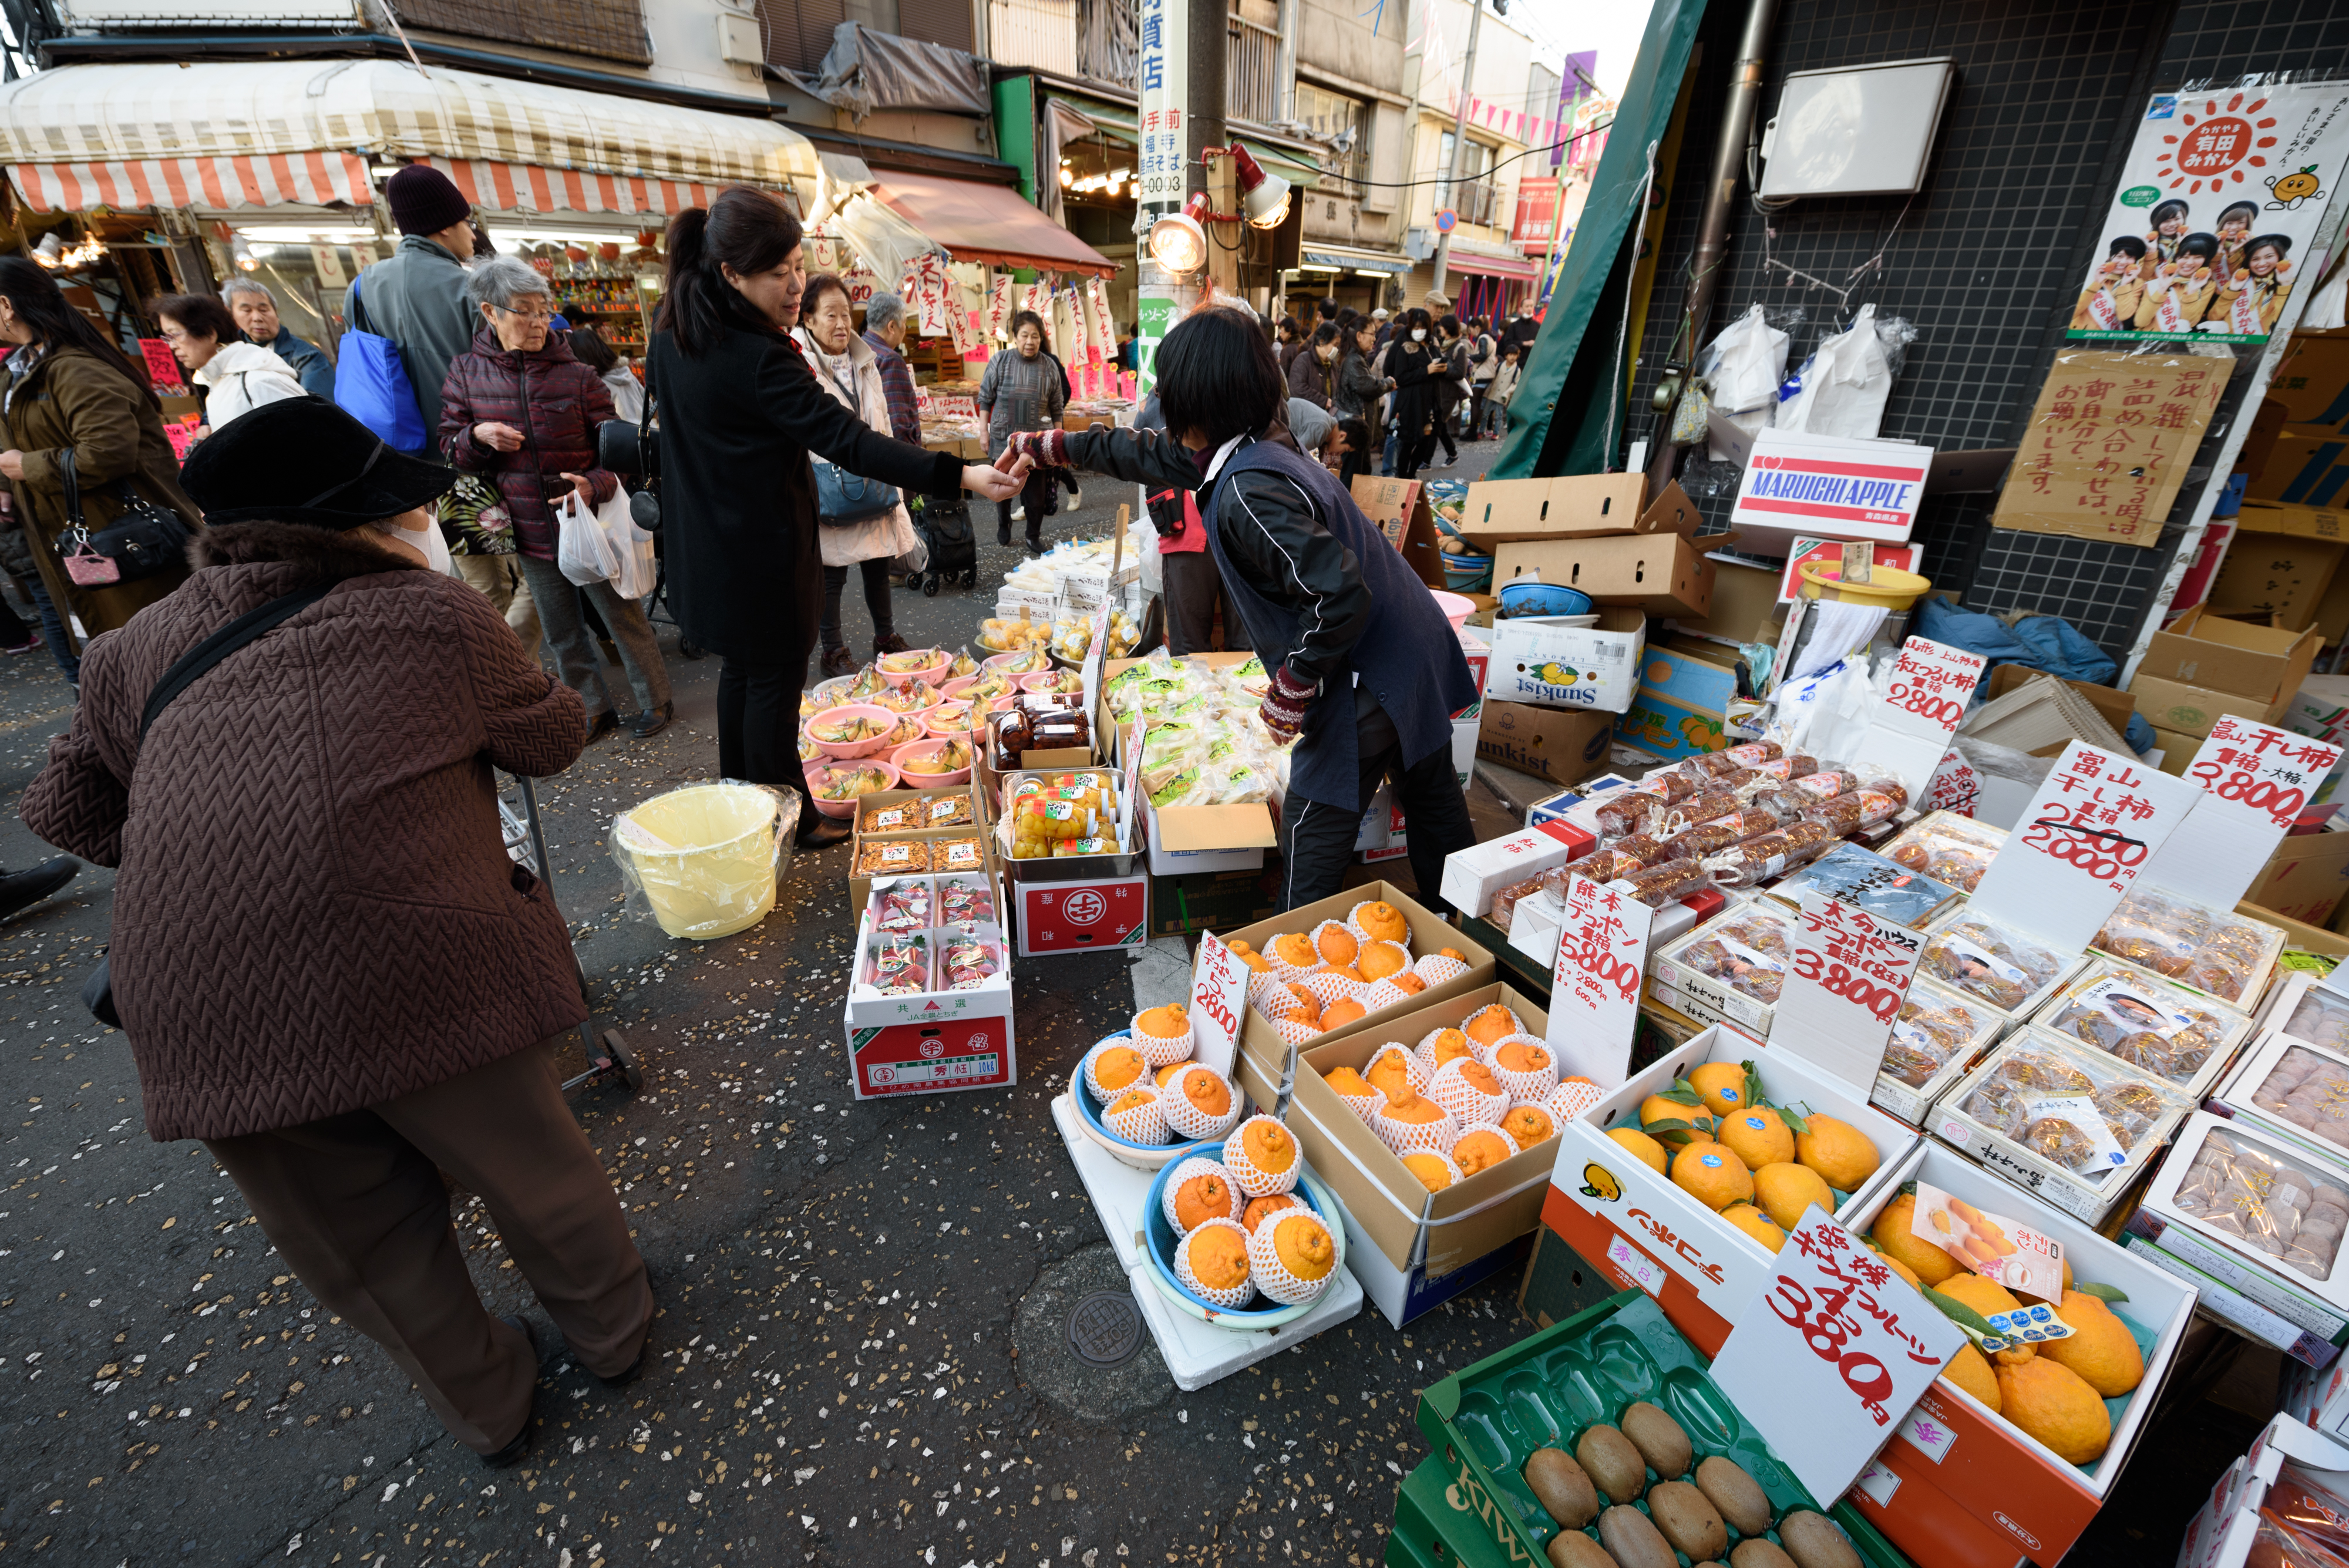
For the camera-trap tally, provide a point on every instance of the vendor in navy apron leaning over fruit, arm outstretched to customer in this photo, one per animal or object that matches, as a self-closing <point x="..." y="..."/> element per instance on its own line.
<point x="1366" y="670"/>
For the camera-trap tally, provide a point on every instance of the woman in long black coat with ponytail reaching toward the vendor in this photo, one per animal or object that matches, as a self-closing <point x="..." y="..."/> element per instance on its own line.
<point x="739" y="417"/>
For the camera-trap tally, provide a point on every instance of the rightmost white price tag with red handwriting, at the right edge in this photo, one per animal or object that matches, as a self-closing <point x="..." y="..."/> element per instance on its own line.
<point x="2254" y="783"/>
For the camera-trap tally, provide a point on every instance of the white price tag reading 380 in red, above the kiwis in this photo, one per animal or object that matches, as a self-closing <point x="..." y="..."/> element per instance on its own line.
<point x="1831" y="1353"/>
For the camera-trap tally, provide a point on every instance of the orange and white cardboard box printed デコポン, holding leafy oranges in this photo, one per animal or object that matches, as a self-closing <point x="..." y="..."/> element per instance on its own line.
<point x="1643" y="1231"/>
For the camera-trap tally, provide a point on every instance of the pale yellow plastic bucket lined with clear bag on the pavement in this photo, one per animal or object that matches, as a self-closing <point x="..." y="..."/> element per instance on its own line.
<point x="704" y="856"/>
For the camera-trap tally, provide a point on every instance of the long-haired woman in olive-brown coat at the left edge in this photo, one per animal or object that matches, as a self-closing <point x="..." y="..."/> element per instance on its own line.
<point x="69" y="388"/>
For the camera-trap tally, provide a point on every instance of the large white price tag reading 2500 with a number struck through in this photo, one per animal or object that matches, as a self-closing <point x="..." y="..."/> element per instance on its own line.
<point x="2082" y="844"/>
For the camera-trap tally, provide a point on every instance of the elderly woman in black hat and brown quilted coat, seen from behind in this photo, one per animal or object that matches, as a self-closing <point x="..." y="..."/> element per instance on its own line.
<point x="323" y="957"/>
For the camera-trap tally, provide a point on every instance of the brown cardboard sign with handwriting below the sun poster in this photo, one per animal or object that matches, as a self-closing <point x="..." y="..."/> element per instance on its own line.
<point x="2111" y="442"/>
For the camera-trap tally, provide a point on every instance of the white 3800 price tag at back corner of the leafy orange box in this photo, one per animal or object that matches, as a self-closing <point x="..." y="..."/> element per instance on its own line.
<point x="1845" y="980"/>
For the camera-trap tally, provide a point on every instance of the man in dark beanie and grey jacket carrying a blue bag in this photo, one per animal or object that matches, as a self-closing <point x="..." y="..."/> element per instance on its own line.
<point x="417" y="297"/>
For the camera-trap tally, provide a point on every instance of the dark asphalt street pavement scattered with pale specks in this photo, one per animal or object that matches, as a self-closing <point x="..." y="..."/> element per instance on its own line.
<point x="861" y="1346"/>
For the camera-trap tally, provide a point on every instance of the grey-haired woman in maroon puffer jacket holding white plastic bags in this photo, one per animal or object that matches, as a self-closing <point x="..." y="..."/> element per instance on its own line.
<point x="523" y="412"/>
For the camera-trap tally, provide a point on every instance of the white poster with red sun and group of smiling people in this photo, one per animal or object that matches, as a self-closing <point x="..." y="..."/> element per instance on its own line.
<point x="2216" y="215"/>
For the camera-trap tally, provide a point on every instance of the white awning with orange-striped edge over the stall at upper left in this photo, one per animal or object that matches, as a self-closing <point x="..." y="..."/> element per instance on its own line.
<point x="257" y="135"/>
